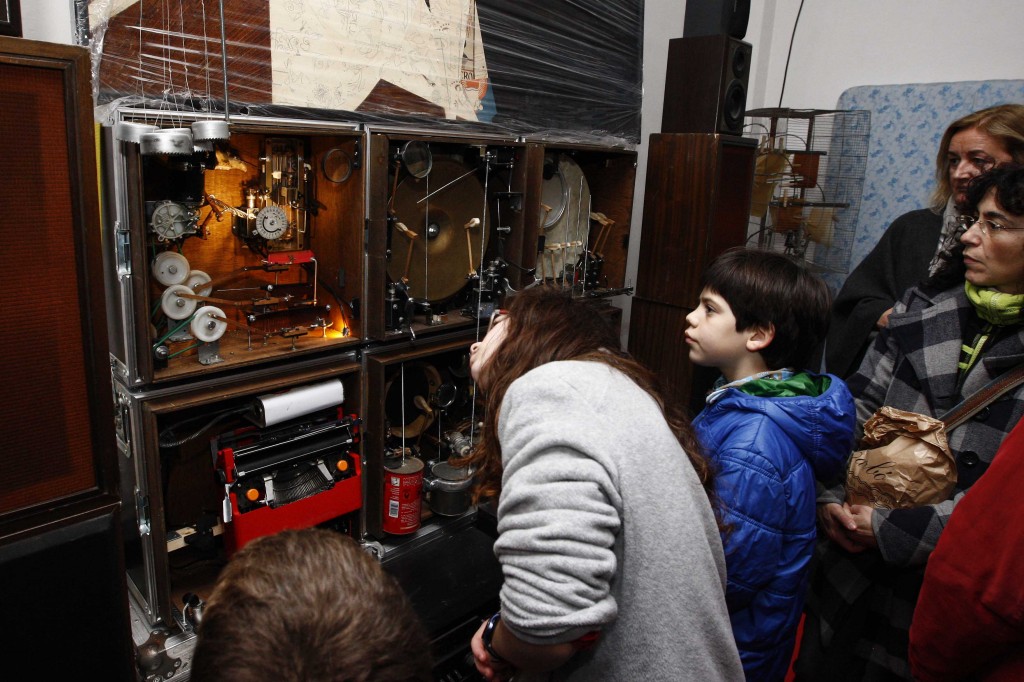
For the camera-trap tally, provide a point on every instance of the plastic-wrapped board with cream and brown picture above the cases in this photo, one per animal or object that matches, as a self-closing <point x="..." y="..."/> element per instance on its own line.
<point x="569" y="71"/>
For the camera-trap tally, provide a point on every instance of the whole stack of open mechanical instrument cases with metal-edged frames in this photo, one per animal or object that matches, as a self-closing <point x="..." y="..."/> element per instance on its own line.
<point x="359" y="199"/>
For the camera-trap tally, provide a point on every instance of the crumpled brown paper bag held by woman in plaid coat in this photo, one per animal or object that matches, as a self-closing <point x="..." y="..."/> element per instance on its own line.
<point x="906" y="462"/>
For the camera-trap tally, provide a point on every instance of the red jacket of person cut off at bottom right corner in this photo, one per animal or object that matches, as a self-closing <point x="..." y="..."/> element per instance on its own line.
<point x="969" y="622"/>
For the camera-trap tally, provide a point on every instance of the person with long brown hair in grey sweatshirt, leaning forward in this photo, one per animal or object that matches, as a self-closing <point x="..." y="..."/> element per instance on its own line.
<point x="609" y="542"/>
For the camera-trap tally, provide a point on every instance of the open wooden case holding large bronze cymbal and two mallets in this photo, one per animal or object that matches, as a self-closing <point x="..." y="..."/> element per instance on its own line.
<point x="431" y="268"/>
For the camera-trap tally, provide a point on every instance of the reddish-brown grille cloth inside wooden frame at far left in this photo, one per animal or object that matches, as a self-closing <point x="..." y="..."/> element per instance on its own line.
<point x="47" y="438"/>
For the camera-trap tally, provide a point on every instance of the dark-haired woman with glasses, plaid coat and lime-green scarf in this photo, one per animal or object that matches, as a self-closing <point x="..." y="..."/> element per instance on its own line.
<point x="946" y="340"/>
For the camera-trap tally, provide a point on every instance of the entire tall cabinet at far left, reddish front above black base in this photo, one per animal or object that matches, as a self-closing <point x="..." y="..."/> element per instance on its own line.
<point x="60" y="539"/>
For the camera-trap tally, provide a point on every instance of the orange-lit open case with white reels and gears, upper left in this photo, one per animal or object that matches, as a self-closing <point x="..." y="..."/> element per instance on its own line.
<point x="248" y="255"/>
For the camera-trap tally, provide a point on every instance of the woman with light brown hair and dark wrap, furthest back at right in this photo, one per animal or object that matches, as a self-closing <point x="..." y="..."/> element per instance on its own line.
<point x="909" y="250"/>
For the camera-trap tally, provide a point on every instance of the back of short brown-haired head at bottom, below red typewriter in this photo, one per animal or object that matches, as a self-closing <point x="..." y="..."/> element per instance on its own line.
<point x="305" y="606"/>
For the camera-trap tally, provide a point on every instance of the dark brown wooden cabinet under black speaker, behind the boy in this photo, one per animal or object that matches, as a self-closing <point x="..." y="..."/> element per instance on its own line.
<point x="697" y="205"/>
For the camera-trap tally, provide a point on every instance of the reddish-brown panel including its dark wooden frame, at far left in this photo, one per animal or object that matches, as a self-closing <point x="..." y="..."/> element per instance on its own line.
<point x="58" y="433"/>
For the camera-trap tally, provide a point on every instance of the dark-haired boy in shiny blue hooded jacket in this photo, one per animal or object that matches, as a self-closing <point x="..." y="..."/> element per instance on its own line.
<point x="772" y="429"/>
